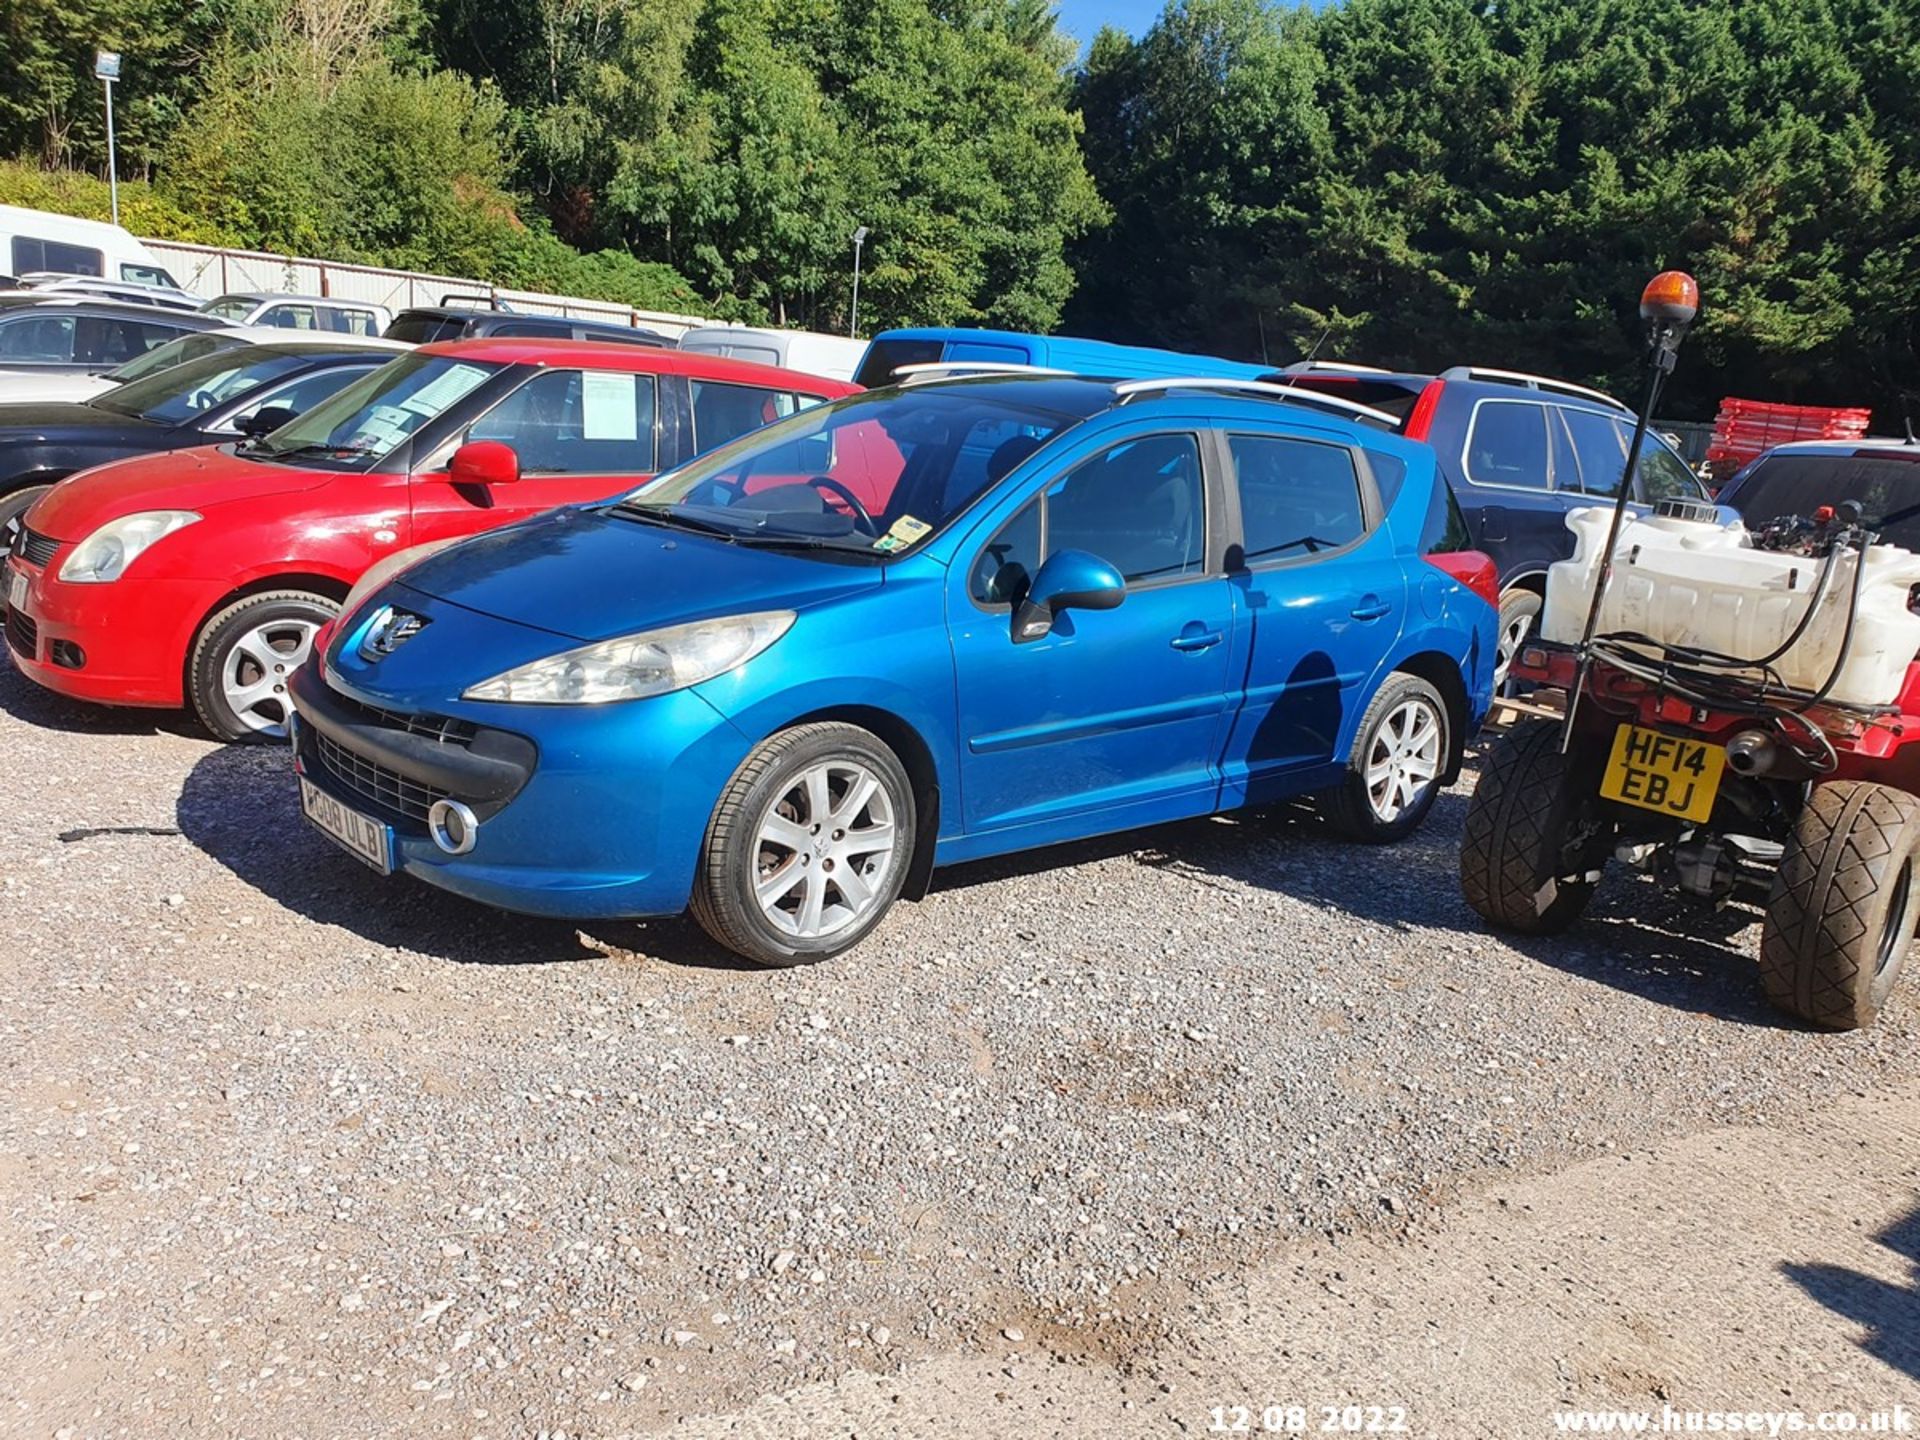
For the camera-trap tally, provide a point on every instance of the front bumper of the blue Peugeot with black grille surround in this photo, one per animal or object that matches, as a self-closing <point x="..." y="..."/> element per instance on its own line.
<point x="587" y="813"/>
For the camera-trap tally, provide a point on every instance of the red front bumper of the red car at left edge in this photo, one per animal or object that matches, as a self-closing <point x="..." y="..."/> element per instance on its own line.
<point x="114" y="644"/>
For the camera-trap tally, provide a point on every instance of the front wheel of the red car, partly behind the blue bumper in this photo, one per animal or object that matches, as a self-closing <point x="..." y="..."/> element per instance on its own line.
<point x="243" y="660"/>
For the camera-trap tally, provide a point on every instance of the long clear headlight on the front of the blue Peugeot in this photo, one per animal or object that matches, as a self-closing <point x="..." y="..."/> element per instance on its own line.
<point x="635" y="667"/>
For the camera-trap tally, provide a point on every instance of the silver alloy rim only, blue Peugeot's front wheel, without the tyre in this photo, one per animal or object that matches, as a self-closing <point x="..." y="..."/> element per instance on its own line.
<point x="825" y="850"/>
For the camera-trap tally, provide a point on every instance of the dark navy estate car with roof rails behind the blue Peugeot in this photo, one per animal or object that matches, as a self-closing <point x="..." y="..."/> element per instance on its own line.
<point x="1522" y="452"/>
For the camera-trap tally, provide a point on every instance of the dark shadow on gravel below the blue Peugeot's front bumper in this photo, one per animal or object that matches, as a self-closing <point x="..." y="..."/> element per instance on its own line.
<point x="243" y="809"/>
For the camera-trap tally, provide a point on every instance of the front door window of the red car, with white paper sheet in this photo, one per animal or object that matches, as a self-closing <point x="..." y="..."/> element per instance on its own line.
<point x="577" y="423"/>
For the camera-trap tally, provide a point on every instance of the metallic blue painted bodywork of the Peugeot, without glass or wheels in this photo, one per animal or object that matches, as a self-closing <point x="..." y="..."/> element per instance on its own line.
<point x="1105" y="725"/>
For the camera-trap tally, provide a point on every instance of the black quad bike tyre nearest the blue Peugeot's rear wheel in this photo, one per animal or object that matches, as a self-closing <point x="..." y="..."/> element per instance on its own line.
<point x="1531" y="834"/>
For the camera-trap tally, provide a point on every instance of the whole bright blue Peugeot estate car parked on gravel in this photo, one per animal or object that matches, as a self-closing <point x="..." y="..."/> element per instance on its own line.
<point x="923" y="625"/>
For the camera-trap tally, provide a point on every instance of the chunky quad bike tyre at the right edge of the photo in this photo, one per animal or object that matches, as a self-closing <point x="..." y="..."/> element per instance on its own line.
<point x="1844" y="905"/>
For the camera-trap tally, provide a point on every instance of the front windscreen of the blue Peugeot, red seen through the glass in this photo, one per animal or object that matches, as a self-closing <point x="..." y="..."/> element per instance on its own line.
<point x="873" y="473"/>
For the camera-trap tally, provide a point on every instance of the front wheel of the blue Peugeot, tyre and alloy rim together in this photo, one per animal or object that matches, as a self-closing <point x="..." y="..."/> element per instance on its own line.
<point x="809" y="846"/>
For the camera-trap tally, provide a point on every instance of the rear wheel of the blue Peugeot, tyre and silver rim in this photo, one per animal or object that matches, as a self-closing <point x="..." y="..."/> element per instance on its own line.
<point x="1393" y="775"/>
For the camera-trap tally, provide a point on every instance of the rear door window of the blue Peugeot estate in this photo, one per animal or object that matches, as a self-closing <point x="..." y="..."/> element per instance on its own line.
<point x="1297" y="496"/>
